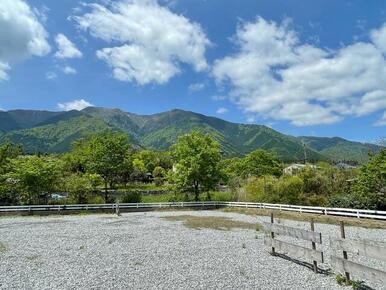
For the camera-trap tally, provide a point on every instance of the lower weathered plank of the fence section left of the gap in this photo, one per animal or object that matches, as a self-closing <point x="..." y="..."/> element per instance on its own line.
<point x="294" y="250"/>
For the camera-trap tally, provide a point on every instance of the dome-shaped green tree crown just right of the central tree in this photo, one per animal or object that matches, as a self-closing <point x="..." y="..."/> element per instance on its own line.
<point x="260" y="163"/>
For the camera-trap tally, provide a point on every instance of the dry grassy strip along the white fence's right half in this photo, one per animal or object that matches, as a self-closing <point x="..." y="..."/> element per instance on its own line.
<point x="323" y="219"/>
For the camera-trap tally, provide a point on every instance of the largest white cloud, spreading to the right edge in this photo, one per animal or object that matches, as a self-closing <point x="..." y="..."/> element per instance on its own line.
<point x="275" y="76"/>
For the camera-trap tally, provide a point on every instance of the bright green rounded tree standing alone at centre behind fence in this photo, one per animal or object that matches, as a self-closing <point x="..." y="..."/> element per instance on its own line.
<point x="197" y="163"/>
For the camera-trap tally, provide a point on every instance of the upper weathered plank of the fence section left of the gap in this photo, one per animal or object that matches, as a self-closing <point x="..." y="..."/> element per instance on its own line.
<point x="294" y="232"/>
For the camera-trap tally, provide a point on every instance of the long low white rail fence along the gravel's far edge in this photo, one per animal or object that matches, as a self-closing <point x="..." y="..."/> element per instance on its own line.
<point x="348" y="212"/>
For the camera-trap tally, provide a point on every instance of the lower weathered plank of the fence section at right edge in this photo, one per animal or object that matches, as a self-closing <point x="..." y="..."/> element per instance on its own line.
<point x="357" y="270"/>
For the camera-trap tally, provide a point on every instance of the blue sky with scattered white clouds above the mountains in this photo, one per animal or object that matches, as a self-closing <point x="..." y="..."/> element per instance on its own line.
<point x="302" y="67"/>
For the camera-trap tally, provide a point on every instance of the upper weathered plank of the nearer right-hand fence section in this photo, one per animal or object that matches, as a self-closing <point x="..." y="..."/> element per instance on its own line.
<point x="371" y="249"/>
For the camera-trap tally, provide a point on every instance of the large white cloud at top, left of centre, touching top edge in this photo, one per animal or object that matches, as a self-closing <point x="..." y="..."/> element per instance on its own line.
<point x="150" y="41"/>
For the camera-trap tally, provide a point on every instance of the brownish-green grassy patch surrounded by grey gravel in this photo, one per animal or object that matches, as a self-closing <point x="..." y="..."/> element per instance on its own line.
<point x="212" y="222"/>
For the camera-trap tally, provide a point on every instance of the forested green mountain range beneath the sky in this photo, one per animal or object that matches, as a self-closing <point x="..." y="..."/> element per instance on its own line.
<point x="51" y="132"/>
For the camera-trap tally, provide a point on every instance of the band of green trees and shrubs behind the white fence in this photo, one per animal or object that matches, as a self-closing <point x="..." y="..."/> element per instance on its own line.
<point x="99" y="166"/>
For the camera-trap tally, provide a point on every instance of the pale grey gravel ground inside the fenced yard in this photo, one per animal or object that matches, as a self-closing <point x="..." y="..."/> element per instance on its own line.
<point x="143" y="251"/>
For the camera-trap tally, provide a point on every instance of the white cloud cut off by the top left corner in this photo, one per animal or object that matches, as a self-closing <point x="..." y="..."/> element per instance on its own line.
<point x="21" y="35"/>
